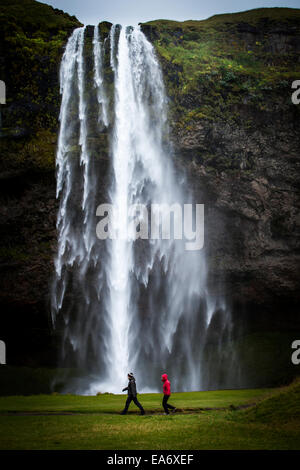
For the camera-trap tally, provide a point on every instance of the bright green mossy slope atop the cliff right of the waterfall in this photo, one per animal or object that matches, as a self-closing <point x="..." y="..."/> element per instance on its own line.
<point x="216" y="60"/>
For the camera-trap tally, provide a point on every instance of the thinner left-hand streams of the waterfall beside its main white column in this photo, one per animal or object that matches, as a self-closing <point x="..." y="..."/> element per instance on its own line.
<point x="78" y="279"/>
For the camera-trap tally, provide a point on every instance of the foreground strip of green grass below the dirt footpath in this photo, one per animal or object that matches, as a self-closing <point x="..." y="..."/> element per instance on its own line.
<point x="210" y="430"/>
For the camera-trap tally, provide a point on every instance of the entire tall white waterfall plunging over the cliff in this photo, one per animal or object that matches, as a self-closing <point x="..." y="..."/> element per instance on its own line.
<point x="128" y="304"/>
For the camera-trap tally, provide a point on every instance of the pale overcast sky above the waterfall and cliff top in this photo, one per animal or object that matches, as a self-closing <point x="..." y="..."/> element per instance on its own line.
<point x="131" y="12"/>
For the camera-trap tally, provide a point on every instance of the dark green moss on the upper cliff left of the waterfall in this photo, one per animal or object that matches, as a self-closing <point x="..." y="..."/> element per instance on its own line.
<point x="32" y="35"/>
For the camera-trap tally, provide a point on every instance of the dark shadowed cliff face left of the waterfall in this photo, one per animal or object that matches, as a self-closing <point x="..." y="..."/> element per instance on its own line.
<point x="32" y="37"/>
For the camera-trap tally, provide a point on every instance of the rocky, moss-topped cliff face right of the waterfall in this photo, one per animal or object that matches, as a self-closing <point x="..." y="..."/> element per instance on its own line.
<point x="235" y="131"/>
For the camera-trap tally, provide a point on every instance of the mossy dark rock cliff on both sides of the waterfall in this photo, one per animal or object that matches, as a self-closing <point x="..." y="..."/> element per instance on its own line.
<point x="235" y="136"/>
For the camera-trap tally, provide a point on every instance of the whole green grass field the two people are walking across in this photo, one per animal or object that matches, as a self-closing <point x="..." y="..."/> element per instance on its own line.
<point x="204" y="420"/>
